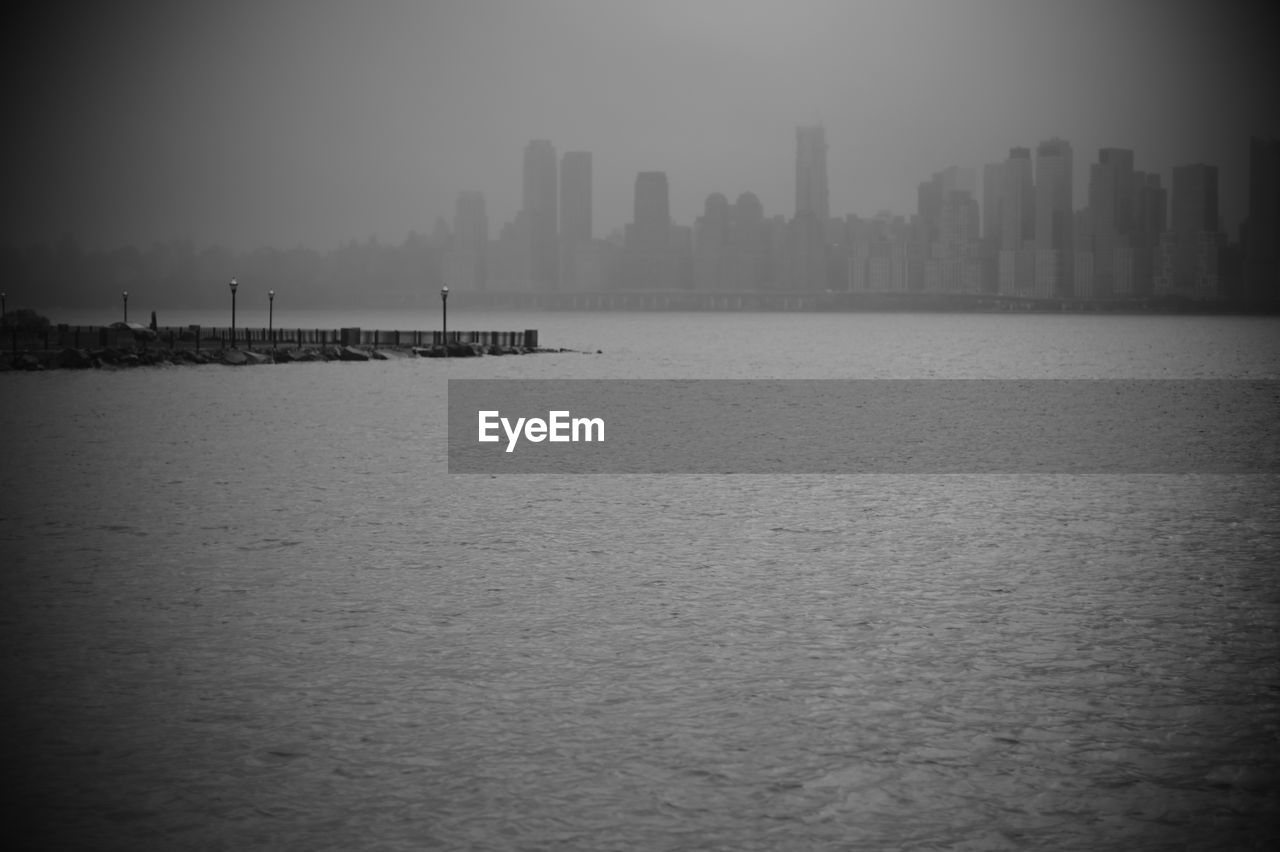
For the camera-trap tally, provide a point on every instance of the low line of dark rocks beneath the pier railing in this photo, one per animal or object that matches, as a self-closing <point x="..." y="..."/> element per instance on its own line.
<point x="115" y="359"/>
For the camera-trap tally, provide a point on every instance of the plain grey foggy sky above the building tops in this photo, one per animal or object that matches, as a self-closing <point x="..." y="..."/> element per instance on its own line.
<point x="290" y="122"/>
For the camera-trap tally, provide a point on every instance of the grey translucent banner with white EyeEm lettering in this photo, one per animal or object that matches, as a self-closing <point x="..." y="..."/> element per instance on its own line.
<point x="874" y="427"/>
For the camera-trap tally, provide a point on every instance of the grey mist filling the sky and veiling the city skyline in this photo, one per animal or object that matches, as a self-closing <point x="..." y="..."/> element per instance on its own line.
<point x="400" y="146"/>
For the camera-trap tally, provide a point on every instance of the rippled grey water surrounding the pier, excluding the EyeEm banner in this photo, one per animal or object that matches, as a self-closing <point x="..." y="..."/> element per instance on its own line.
<point x="250" y="608"/>
